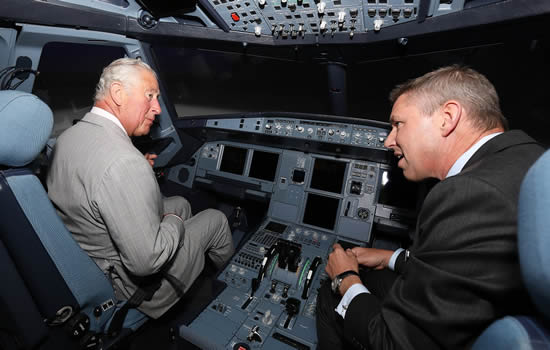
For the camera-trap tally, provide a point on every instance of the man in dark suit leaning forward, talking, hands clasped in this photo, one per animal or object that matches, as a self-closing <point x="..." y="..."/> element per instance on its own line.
<point x="462" y="271"/>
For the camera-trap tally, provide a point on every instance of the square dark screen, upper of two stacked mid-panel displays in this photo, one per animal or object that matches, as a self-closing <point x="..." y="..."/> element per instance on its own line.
<point x="328" y="175"/>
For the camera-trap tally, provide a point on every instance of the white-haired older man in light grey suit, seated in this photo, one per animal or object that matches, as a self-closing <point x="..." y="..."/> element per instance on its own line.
<point x="107" y="195"/>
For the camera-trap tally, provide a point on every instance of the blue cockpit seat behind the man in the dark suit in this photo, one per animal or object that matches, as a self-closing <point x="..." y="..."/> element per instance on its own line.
<point x="529" y="332"/>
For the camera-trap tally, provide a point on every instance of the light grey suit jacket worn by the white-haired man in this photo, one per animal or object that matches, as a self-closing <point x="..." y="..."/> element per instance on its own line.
<point x="107" y="195"/>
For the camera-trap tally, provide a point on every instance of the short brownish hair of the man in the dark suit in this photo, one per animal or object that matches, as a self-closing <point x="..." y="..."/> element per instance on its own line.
<point x="463" y="84"/>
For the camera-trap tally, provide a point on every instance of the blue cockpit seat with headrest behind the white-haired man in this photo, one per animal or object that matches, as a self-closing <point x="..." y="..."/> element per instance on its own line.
<point x="53" y="296"/>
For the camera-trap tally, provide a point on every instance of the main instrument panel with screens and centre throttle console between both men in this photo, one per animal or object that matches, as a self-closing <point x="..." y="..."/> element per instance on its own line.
<point x="315" y="199"/>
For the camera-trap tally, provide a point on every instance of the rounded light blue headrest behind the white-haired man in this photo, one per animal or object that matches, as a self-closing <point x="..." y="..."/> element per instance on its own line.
<point x="25" y="126"/>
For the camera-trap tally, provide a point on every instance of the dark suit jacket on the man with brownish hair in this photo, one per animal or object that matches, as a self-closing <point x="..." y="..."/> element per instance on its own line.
<point x="463" y="272"/>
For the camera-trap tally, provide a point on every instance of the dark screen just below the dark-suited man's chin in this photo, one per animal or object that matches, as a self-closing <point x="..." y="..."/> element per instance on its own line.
<point x="397" y="191"/>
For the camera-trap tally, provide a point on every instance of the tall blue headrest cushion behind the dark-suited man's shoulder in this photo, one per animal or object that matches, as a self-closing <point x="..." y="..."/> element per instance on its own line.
<point x="534" y="232"/>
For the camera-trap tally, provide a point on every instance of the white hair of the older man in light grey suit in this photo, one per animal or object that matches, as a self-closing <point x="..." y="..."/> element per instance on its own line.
<point x="123" y="70"/>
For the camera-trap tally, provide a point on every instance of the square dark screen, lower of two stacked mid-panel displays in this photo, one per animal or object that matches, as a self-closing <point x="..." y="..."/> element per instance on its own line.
<point x="321" y="211"/>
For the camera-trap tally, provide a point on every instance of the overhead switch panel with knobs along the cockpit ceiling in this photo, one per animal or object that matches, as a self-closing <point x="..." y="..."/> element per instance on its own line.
<point x="294" y="19"/>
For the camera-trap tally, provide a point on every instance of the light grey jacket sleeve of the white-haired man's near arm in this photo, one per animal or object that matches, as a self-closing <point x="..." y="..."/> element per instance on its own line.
<point x="131" y="206"/>
